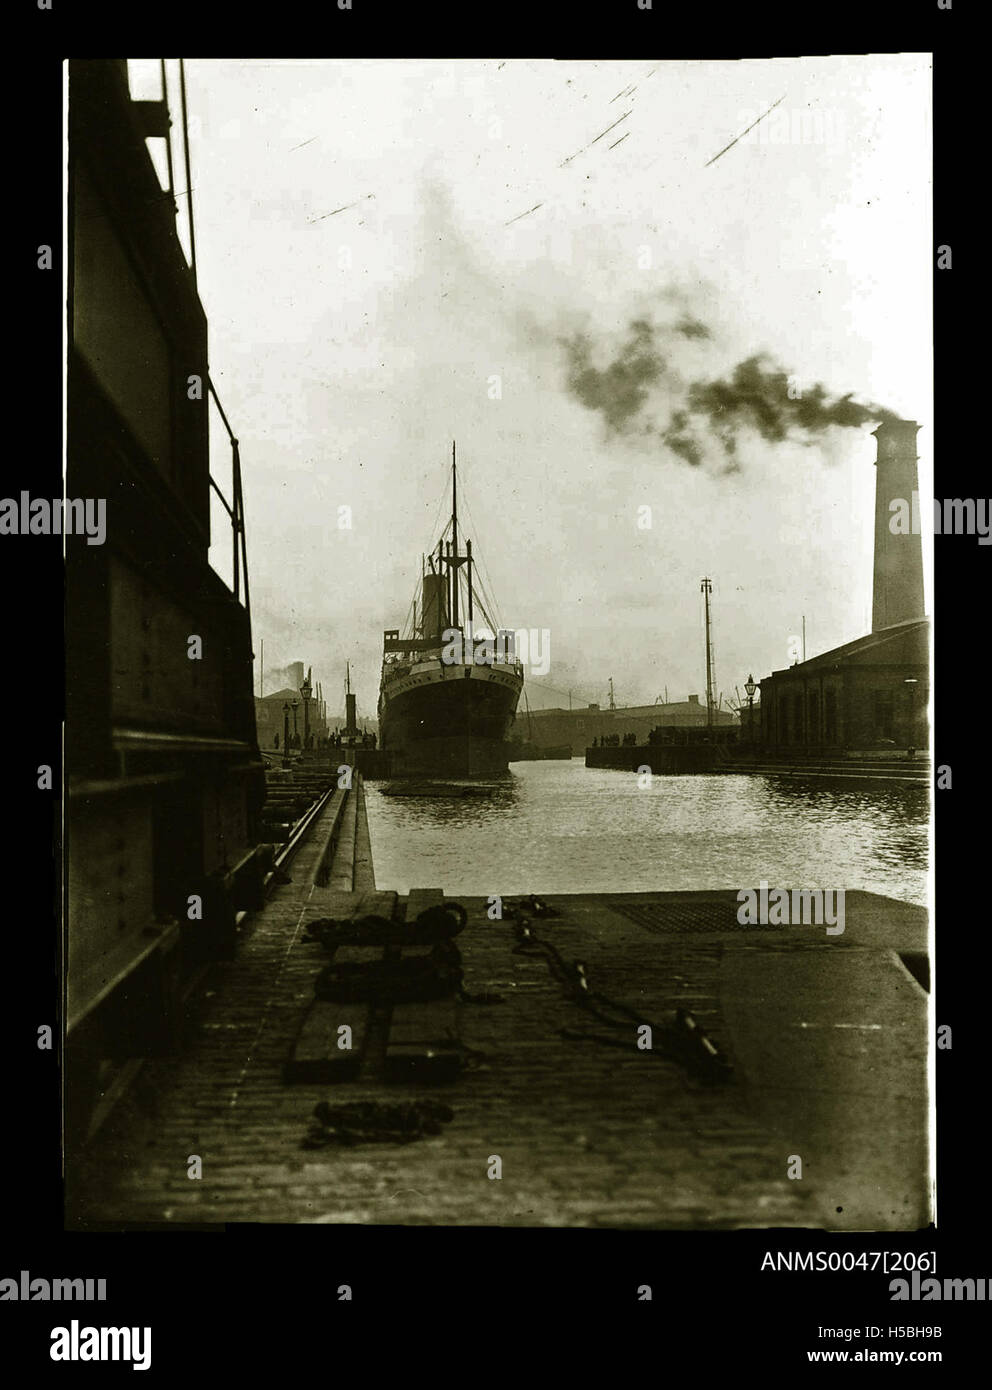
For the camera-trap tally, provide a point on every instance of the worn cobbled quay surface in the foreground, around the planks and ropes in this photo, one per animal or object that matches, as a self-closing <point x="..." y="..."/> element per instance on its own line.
<point x="588" y="1135"/>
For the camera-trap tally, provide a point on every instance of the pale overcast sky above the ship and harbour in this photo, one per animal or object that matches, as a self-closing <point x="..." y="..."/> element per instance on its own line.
<point x="351" y="350"/>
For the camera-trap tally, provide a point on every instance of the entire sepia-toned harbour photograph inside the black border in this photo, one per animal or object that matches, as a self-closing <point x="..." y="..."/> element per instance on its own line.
<point x="499" y="755"/>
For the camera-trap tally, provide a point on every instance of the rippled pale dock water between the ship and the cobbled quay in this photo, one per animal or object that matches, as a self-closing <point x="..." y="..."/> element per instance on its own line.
<point x="563" y="828"/>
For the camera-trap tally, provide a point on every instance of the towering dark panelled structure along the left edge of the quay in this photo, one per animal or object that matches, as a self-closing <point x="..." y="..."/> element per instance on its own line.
<point x="166" y="783"/>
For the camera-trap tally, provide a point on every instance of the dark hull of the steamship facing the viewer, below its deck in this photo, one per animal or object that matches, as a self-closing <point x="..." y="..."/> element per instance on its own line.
<point x="449" y="721"/>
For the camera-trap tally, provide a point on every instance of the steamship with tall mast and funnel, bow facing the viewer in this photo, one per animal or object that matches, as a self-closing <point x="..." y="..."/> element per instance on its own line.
<point x="448" y="696"/>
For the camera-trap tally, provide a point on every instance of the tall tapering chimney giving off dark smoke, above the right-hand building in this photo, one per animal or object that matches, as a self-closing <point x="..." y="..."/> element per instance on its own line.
<point x="898" y="589"/>
